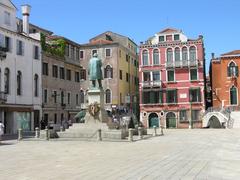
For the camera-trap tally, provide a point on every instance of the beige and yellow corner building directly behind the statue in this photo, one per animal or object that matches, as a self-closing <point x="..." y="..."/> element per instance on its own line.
<point x="120" y="70"/>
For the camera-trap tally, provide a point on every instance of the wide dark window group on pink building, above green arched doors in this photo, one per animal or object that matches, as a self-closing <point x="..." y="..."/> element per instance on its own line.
<point x="152" y="97"/>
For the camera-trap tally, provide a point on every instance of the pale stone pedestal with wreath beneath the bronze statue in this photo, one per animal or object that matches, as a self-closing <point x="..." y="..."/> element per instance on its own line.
<point x="96" y="96"/>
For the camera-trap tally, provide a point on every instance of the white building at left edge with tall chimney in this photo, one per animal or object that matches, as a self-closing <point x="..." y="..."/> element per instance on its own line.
<point x="20" y="71"/>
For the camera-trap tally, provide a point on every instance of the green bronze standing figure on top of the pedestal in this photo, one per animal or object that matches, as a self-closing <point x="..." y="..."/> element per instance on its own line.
<point x="95" y="71"/>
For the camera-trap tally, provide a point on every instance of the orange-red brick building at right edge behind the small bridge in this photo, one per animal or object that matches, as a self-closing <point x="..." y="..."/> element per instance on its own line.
<point x="225" y="79"/>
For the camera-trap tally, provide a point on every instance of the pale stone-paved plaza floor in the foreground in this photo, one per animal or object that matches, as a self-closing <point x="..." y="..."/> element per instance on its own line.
<point x="179" y="154"/>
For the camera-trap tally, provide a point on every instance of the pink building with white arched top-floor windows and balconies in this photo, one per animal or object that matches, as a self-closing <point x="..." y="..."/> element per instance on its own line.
<point x="171" y="77"/>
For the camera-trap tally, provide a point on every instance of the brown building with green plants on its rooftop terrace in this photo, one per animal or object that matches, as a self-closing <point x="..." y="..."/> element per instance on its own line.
<point x="60" y="81"/>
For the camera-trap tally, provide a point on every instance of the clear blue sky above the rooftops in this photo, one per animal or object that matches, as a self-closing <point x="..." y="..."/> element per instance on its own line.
<point x="79" y="20"/>
